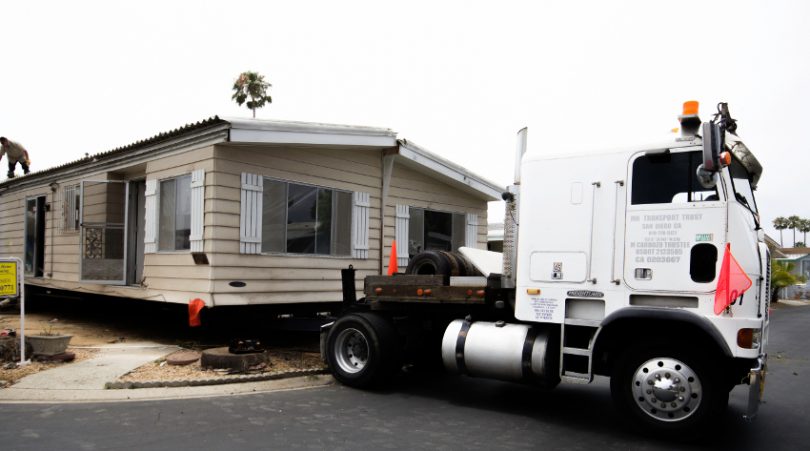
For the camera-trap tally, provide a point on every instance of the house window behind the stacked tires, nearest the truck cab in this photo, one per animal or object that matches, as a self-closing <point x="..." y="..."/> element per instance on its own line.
<point x="435" y="230"/>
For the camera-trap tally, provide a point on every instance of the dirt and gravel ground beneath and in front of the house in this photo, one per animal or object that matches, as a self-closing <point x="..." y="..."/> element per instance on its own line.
<point x="93" y="323"/>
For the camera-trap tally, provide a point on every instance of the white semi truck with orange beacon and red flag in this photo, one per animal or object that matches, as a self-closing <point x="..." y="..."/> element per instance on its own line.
<point x="646" y="265"/>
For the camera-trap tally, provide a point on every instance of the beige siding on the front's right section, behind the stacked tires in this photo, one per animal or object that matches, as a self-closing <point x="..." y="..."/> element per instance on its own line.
<point x="416" y="189"/>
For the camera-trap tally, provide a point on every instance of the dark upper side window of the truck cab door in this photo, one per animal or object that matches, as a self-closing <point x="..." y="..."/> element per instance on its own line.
<point x="669" y="178"/>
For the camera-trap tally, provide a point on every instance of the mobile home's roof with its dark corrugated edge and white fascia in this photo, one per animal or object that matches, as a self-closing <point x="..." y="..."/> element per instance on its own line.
<point x="240" y="130"/>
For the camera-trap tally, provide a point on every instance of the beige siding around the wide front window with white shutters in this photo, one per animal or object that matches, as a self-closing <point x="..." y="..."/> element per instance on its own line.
<point x="274" y="278"/>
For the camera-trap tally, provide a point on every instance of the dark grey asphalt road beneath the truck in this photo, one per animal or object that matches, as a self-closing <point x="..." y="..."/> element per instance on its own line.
<point x="421" y="411"/>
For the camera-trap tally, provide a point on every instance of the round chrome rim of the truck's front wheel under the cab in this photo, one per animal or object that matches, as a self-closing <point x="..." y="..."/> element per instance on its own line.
<point x="667" y="389"/>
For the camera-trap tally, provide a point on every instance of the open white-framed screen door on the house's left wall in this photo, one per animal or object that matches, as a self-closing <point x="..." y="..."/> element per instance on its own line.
<point x="103" y="232"/>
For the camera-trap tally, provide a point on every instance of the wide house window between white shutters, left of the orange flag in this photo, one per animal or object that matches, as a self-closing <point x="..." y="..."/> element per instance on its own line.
<point x="305" y="219"/>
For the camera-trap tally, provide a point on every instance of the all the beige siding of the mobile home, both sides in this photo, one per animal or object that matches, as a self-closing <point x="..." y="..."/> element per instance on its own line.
<point x="172" y="276"/>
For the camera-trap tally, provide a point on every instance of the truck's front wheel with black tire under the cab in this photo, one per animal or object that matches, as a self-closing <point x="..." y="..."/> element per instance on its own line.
<point x="668" y="389"/>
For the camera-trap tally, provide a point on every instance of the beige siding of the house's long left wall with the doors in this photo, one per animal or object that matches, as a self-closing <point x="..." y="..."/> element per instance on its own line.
<point x="171" y="277"/>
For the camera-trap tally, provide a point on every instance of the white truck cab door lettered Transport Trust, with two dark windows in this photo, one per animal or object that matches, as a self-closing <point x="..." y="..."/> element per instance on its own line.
<point x="675" y="227"/>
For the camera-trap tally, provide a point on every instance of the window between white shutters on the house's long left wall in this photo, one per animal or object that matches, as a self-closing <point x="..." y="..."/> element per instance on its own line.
<point x="174" y="222"/>
